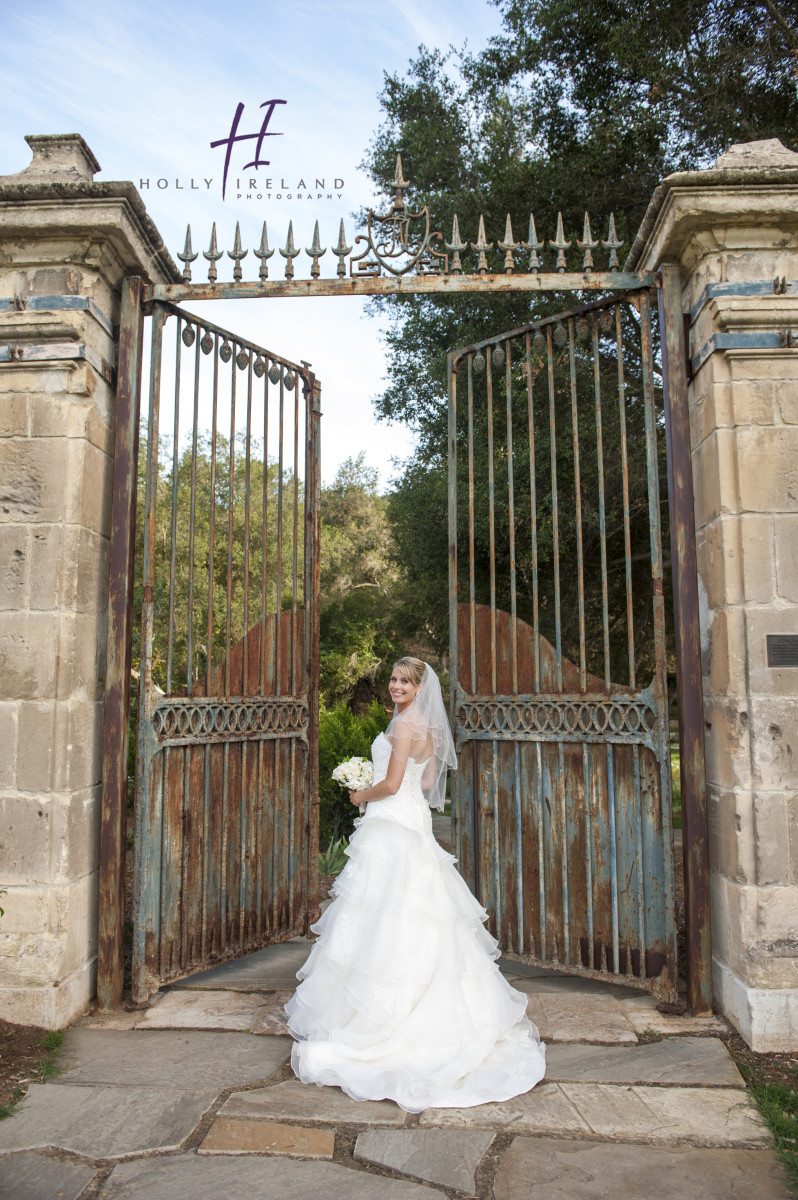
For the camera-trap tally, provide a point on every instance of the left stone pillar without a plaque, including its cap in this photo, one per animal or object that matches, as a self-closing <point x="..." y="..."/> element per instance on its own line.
<point x="68" y="243"/>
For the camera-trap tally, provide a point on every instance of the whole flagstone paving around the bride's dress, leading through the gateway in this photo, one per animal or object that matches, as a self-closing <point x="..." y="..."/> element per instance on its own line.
<point x="196" y="1091"/>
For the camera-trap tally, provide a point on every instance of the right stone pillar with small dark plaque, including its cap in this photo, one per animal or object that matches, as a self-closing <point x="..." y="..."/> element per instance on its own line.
<point x="734" y="233"/>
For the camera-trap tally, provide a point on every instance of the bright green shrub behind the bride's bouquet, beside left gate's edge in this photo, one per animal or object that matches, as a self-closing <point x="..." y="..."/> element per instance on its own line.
<point x="343" y="734"/>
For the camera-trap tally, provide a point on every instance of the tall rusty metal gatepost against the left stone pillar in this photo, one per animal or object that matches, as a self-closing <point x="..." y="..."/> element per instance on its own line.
<point x="111" y="933"/>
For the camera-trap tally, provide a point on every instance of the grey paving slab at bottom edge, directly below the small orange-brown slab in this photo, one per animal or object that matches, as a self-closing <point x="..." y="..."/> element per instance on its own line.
<point x="191" y="1178"/>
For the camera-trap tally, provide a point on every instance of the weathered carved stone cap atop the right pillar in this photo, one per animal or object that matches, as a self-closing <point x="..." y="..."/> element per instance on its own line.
<point x="753" y="183"/>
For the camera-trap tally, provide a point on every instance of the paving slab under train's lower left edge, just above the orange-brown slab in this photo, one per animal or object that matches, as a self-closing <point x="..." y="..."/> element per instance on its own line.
<point x="297" y="1101"/>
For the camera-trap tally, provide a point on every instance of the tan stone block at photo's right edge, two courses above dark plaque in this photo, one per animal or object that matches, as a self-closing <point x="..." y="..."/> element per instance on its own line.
<point x="767" y="461"/>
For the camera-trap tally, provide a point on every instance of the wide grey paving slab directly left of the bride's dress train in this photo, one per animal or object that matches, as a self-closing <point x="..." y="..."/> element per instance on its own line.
<point x="190" y="1059"/>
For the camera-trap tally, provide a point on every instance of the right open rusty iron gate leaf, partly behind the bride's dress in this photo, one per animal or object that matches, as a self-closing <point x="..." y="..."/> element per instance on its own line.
<point x="562" y="801"/>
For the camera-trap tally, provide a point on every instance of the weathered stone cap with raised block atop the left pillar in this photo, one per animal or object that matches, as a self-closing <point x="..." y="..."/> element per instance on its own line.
<point x="57" y="197"/>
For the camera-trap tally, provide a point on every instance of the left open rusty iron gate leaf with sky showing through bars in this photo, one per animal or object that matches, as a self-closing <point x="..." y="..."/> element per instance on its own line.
<point x="226" y="809"/>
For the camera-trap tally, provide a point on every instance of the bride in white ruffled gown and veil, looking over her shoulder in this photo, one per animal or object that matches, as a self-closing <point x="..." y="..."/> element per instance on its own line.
<point x="401" y="998"/>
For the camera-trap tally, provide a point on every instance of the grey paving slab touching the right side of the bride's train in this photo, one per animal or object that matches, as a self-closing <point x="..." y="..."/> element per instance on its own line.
<point x="698" y="1061"/>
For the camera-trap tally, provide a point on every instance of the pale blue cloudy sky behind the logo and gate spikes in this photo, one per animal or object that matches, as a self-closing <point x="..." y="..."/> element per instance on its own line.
<point x="149" y="87"/>
